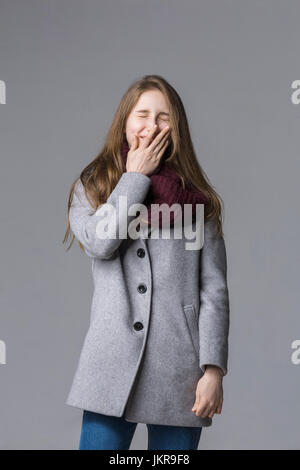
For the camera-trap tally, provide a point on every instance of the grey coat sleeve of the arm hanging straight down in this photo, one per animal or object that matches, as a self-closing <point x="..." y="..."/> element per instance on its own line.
<point x="214" y="301"/>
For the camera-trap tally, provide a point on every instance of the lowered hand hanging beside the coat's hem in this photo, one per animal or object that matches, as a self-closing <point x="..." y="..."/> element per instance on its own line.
<point x="209" y="394"/>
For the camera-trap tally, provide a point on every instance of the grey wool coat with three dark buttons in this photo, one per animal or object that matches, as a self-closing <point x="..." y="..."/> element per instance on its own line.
<point x="146" y="347"/>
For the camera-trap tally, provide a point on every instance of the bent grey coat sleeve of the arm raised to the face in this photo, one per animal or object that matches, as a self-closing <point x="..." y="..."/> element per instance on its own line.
<point x="132" y="184"/>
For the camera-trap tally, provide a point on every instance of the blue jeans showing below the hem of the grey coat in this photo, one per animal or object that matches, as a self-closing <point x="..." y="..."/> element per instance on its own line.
<point x="101" y="432"/>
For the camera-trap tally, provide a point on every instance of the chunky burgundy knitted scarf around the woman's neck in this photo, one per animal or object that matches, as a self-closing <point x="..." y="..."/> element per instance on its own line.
<point x="166" y="188"/>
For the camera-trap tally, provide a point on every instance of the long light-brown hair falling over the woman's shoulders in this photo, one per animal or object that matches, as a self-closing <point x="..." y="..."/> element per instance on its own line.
<point x="100" y="177"/>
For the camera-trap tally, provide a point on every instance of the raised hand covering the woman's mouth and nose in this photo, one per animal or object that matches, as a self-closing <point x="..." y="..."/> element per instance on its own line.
<point x="145" y="156"/>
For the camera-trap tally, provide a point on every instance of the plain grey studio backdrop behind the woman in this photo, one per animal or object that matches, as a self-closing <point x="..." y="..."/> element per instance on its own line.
<point x="66" y="64"/>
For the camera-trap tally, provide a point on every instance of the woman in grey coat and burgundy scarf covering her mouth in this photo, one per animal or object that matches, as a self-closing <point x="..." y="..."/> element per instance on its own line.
<point x="156" y="349"/>
